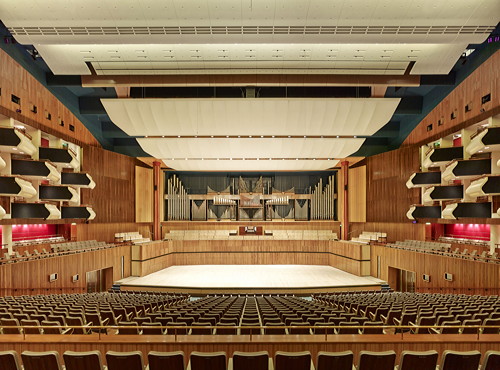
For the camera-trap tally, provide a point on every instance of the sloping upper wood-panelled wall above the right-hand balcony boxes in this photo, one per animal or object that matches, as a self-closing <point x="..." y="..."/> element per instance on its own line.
<point x="484" y="80"/>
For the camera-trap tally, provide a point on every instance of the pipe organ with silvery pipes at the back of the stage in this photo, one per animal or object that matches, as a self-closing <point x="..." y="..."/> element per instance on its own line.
<point x="226" y="197"/>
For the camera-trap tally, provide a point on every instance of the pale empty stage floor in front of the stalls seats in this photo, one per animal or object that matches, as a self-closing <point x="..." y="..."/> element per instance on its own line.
<point x="251" y="278"/>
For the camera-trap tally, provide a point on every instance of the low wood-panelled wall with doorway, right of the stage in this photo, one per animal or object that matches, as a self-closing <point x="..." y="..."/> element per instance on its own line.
<point x="469" y="277"/>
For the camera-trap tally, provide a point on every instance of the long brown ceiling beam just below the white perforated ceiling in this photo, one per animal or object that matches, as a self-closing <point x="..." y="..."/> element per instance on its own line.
<point x="249" y="80"/>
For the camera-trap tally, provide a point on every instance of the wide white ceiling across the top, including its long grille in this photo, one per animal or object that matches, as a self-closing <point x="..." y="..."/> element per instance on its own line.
<point x="70" y="33"/>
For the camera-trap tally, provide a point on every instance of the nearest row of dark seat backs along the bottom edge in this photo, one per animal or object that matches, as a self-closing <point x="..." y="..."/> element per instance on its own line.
<point x="367" y="360"/>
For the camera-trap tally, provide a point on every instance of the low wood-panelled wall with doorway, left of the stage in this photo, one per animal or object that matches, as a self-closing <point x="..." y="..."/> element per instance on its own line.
<point x="32" y="277"/>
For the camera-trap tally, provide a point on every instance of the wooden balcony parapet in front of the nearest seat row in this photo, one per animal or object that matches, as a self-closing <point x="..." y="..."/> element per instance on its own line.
<point x="270" y="343"/>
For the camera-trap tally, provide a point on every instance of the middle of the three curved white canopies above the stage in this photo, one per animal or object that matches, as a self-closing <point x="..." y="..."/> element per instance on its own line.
<point x="249" y="147"/>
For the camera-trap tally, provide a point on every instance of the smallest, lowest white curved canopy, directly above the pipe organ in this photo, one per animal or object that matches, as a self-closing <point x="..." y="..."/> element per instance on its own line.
<point x="250" y="165"/>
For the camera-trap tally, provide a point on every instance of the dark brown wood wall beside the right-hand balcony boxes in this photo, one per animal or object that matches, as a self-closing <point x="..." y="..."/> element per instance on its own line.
<point x="387" y="197"/>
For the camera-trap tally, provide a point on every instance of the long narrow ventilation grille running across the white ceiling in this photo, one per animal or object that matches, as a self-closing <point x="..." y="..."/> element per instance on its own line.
<point x="251" y="30"/>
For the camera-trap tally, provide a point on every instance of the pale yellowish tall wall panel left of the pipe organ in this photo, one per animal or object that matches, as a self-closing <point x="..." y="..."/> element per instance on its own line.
<point x="143" y="194"/>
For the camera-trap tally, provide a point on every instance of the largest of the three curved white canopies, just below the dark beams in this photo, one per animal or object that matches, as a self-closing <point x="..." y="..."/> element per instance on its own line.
<point x="263" y="116"/>
